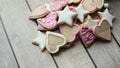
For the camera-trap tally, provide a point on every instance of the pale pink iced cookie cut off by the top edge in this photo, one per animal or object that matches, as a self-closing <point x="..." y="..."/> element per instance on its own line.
<point x="57" y="5"/>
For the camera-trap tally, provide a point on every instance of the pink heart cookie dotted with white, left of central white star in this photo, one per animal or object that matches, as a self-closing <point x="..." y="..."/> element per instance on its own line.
<point x="49" y="21"/>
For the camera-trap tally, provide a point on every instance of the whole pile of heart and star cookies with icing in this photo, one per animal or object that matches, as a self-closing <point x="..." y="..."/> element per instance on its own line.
<point x="60" y="21"/>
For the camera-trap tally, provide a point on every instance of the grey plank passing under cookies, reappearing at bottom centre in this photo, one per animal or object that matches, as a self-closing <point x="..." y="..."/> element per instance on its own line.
<point x="73" y="57"/>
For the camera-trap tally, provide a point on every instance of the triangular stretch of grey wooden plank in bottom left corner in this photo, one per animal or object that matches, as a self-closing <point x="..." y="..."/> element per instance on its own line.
<point x="7" y="59"/>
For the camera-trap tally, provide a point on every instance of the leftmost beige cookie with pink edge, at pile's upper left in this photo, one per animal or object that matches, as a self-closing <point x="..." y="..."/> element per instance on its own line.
<point x="39" y="11"/>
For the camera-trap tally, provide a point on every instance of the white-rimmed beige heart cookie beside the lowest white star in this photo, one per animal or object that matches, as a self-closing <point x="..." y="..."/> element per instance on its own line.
<point x="54" y="41"/>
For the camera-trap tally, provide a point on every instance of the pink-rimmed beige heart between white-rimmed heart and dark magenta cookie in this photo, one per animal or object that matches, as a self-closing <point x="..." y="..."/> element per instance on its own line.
<point x="70" y="32"/>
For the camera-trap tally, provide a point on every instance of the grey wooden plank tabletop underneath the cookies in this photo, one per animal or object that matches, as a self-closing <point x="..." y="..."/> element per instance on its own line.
<point x="17" y="32"/>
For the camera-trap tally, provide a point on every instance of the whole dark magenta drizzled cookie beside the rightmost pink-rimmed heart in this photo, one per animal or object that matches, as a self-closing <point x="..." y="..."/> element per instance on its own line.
<point x="87" y="35"/>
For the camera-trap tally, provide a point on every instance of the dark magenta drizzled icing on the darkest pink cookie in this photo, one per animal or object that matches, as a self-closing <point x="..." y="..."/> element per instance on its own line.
<point x="87" y="35"/>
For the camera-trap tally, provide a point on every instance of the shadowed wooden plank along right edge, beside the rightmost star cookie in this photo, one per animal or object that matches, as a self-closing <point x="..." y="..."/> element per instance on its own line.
<point x="115" y="10"/>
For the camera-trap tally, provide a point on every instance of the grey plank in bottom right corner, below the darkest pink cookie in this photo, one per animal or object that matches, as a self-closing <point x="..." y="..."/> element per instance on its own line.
<point x="105" y="54"/>
